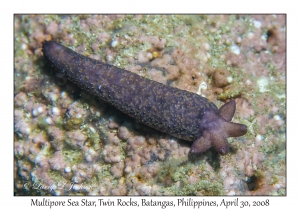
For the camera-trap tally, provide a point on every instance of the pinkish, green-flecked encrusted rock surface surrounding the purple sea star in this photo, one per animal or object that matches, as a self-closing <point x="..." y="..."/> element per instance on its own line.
<point x="67" y="142"/>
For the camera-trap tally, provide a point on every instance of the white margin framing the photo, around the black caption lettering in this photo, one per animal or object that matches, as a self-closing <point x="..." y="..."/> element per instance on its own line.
<point x="153" y="6"/>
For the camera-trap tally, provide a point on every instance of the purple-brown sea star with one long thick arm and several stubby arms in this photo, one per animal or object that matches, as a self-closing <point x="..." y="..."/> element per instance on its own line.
<point x="177" y="112"/>
